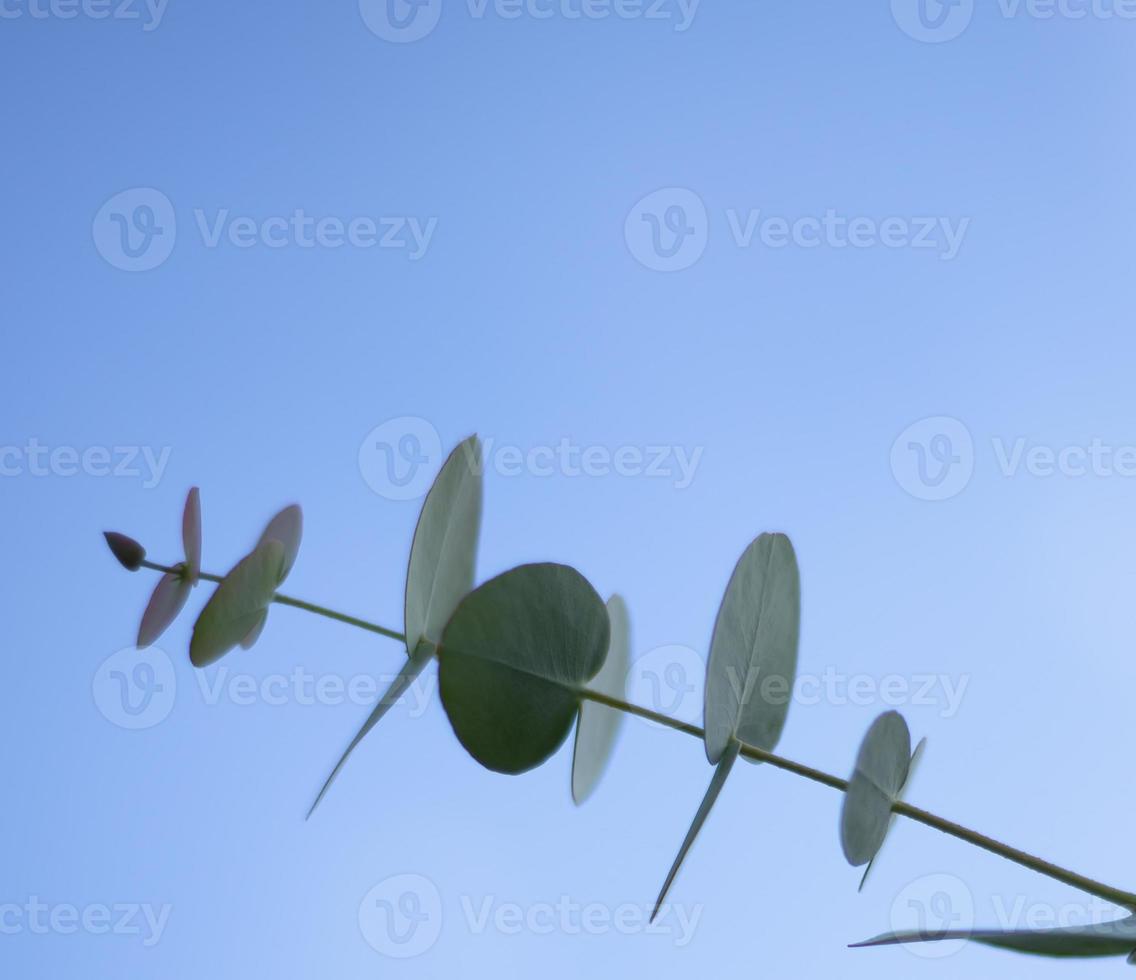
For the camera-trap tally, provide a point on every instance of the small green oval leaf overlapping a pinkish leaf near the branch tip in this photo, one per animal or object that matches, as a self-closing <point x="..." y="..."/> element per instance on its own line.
<point x="238" y="606"/>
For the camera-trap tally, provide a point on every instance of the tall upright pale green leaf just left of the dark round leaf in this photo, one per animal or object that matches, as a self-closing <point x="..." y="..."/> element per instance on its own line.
<point x="445" y="550"/>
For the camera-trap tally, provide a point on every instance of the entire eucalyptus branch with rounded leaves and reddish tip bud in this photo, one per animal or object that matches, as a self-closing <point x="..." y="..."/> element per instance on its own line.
<point x="547" y="623"/>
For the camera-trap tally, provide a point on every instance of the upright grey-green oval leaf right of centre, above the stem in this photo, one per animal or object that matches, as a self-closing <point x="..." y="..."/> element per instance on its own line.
<point x="753" y="661"/>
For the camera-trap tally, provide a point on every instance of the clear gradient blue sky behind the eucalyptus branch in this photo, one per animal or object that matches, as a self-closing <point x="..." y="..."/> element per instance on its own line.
<point x="534" y="320"/>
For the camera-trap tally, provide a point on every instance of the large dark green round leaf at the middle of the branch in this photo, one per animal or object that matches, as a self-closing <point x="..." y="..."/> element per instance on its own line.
<point x="513" y="658"/>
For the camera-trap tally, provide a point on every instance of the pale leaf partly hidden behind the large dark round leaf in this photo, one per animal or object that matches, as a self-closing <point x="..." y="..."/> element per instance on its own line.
<point x="599" y="725"/>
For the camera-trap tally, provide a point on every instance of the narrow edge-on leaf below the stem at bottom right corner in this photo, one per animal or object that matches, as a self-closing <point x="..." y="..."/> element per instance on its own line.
<point x="1116" y="939"/>
